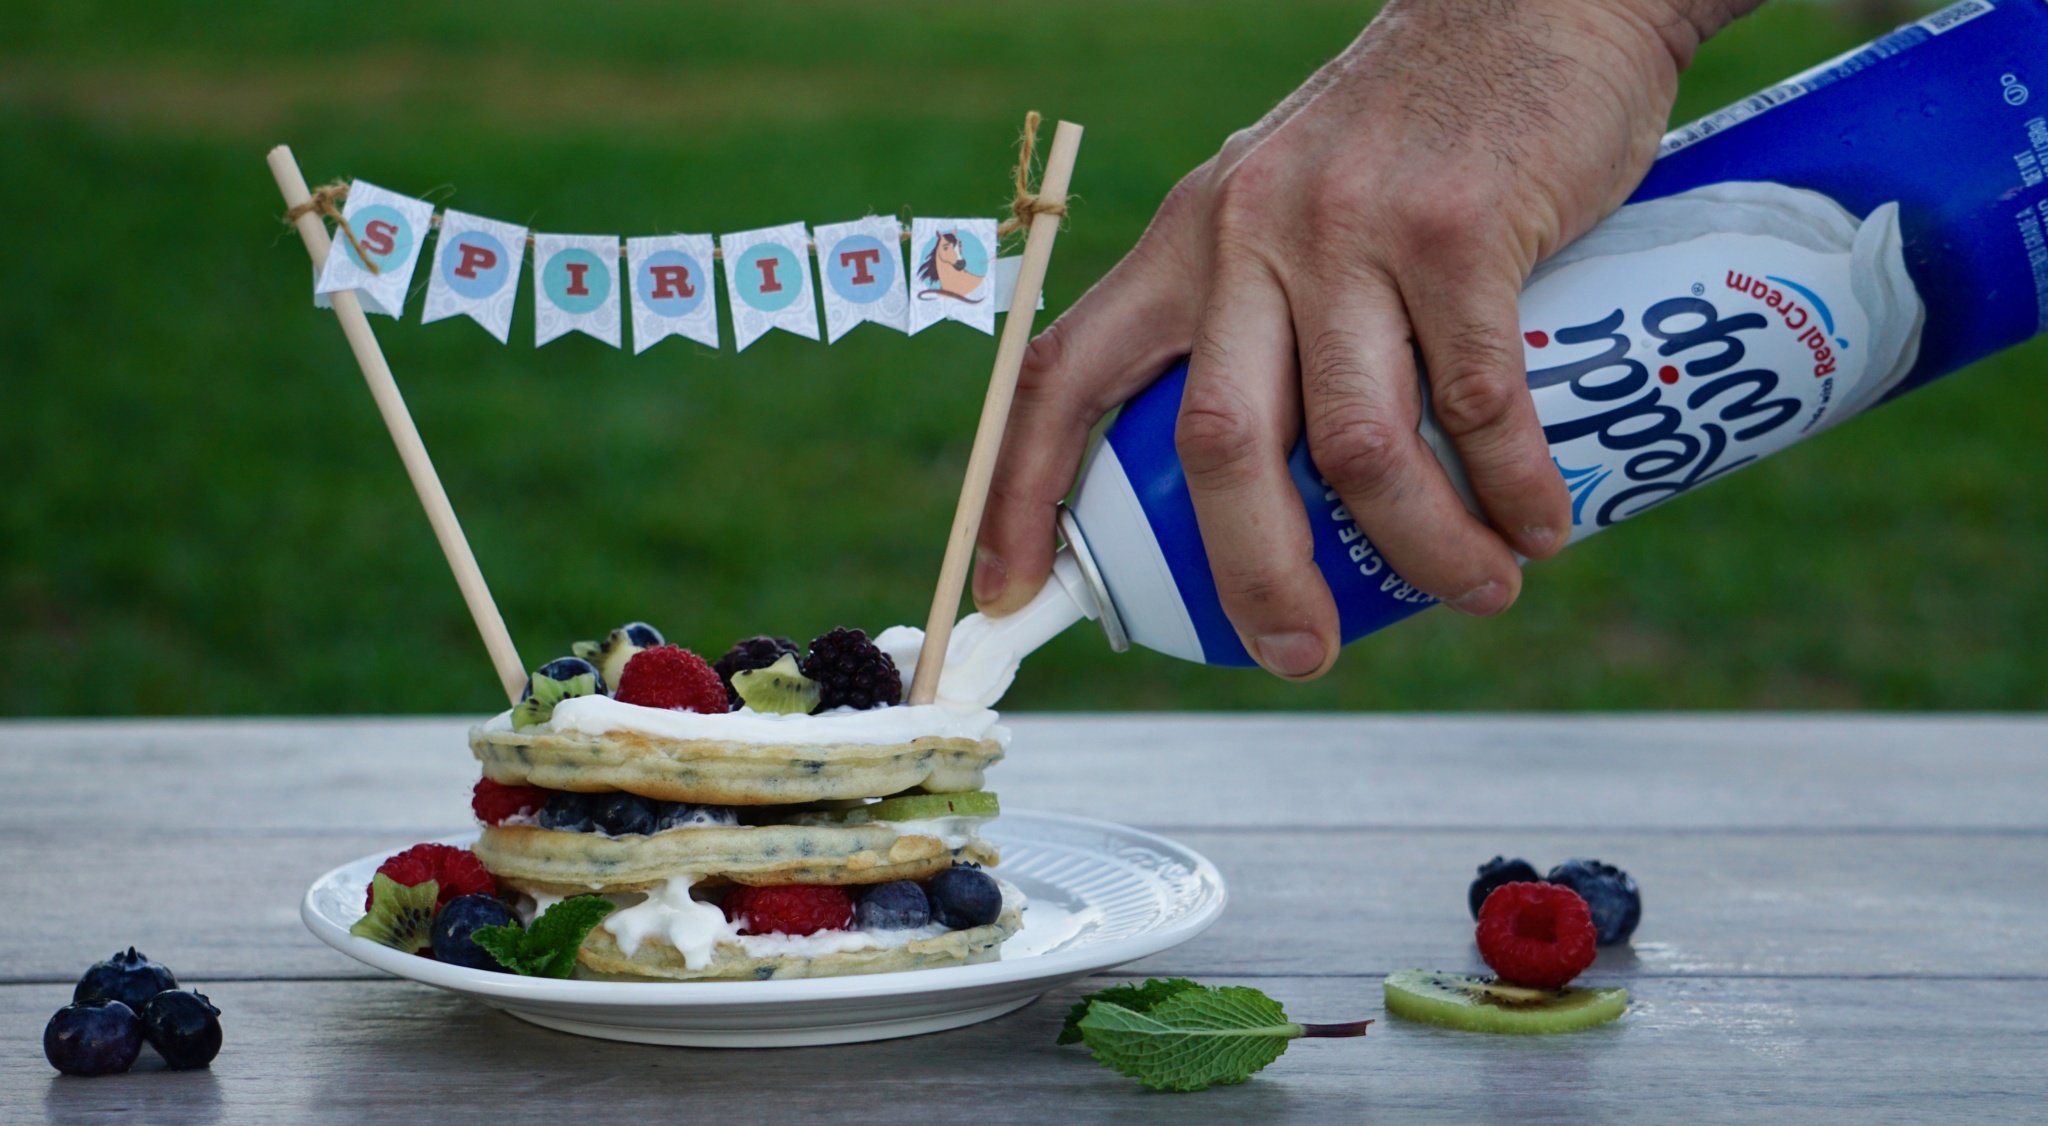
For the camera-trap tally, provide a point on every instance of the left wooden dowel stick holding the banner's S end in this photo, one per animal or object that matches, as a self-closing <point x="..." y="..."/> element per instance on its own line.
<point x="411" y="449"/>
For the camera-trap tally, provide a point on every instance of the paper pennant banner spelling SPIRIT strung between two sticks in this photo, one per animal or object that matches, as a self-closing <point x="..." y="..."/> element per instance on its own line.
<point x="581" y="286"/>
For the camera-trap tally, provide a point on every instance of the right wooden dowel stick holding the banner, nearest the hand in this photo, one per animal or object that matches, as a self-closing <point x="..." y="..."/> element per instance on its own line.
<point x="994" y="417"/>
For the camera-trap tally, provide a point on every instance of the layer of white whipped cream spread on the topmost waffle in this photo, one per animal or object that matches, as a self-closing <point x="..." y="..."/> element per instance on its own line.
<point x="599" y="716"/>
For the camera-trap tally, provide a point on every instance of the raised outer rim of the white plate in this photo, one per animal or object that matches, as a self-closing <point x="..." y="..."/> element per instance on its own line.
<point x="513" y="990"/>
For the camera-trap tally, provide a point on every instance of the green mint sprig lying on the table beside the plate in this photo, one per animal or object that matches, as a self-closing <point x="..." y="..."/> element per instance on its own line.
<point x="1179" y="1035"/>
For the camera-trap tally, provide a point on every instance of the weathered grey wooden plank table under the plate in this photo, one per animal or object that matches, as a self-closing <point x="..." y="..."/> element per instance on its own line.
<point x="1846" y="922"/>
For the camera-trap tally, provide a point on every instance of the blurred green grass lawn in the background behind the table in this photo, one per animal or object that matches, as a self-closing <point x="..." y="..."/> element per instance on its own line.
<point x="204" y="513"/>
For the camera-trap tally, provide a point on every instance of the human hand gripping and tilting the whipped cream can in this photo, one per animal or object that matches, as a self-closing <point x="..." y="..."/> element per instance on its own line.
<point x="1394" y="204"/>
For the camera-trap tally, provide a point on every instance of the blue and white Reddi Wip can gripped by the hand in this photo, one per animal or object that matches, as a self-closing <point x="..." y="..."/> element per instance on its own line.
<point x="1789" y="263"/>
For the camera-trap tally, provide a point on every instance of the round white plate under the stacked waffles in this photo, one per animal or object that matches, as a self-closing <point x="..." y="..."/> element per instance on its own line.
<point x="1101" y="896"/>
